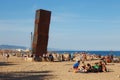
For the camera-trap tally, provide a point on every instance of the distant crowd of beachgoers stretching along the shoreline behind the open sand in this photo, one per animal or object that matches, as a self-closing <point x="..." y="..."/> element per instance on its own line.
<point x="55" y="56"/>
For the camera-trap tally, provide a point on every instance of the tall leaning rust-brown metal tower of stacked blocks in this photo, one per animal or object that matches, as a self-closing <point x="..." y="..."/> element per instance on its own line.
<point x="41" y="32"/>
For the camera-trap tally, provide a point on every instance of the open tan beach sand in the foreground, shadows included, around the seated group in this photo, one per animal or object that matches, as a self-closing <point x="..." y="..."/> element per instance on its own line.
<point x="18" y="69"/>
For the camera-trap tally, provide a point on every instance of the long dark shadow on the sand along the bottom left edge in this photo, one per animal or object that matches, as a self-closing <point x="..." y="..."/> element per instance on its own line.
<point x="27" y="75"/>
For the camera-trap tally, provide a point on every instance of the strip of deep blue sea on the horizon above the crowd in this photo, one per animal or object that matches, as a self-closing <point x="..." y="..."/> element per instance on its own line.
<point x="114" y="53"/>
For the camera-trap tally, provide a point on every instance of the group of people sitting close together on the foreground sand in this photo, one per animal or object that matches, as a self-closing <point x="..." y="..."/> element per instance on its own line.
<point x="96" y="67"/>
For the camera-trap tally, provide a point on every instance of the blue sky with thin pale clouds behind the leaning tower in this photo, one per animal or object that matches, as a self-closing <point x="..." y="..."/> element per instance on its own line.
<point x="74" y="25"/>
